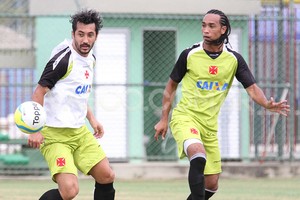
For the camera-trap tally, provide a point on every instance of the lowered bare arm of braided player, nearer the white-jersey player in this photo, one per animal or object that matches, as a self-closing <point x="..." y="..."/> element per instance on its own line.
<point x="169" y="93"/>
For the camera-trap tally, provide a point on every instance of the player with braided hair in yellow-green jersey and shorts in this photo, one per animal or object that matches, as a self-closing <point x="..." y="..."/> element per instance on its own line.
<point x="206" y="71"/>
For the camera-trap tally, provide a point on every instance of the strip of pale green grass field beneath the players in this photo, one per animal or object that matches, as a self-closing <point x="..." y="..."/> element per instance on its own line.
<point x="230" y="189"/>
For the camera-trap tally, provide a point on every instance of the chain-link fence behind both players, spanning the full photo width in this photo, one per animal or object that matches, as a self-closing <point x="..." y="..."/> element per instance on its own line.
<point x="136" y="54"/>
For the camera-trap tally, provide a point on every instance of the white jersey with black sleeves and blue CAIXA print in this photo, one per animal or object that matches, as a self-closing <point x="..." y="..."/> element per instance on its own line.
<point x="69" y="77"/>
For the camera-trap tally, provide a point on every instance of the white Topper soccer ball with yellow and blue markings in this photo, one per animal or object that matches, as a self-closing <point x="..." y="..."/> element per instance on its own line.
<point x="30" y="117"/>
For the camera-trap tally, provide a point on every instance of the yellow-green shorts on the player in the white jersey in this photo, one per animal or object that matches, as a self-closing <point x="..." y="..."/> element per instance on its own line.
<point x="67" y="150"/>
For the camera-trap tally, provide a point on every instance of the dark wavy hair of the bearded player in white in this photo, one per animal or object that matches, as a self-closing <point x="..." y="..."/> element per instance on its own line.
<point x="87" y="17"/>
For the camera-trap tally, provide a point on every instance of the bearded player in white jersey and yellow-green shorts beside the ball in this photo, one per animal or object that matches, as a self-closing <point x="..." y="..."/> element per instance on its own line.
<point x="63" y="89"/>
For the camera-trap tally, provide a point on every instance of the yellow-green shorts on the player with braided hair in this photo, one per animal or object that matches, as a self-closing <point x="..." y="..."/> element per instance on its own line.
<point x="185" y="127"/>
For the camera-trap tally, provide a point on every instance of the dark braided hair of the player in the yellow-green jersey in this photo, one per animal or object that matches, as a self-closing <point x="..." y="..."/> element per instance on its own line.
<point x="224" y="21"/>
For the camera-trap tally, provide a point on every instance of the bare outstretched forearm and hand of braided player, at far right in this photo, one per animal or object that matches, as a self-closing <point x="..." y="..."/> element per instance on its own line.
<point x="258" y="96"/>
